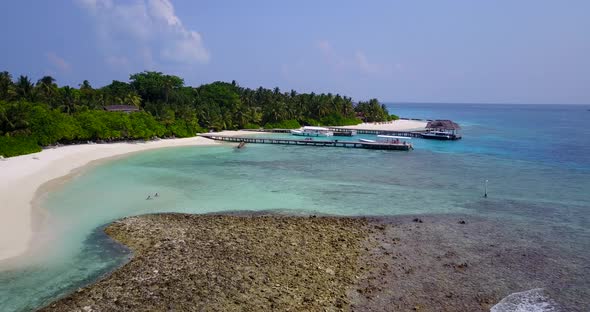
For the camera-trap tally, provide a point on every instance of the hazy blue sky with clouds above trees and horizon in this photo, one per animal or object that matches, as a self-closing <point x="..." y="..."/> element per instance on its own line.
<point x="461" y="51"/>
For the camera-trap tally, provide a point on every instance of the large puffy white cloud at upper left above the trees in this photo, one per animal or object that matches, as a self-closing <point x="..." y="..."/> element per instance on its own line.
<point x="144" y="31"/>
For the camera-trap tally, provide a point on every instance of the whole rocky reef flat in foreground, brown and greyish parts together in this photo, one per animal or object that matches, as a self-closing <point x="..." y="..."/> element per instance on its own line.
<point x="259" y="263"/>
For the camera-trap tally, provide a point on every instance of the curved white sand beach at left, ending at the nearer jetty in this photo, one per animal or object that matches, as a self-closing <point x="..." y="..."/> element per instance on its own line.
<point x="21" y="177"/>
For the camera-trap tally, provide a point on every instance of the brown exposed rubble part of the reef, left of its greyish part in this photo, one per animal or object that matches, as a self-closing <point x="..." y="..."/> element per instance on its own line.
<point x="228" y="263"/>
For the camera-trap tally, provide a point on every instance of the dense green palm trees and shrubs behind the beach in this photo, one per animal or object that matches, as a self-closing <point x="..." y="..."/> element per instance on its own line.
<point x="43" y="113"/>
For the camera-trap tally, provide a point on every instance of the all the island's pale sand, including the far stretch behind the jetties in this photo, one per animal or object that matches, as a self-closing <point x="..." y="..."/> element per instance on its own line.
<point x="27" y="178"/>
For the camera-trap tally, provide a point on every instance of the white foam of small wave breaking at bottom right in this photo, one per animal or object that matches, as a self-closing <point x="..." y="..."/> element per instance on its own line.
<point x="533" y="300"/>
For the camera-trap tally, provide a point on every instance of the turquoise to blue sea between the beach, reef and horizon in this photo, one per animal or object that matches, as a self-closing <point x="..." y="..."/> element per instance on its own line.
<point x="535" y="157"/>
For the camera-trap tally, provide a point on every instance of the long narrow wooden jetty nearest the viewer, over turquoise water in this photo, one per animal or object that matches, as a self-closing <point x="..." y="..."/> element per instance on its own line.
<point x="308" y="142"/>
